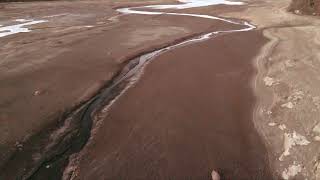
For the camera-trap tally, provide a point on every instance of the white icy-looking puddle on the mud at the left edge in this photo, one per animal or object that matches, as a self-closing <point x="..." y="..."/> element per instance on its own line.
<point x="18" y="28"/>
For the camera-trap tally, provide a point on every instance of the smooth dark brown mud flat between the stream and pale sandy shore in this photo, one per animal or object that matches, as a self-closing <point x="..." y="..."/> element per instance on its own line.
<point x="190" y="113"/>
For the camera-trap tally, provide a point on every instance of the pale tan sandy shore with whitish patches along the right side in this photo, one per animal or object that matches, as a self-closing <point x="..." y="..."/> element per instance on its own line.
<point x="287" y="111"/>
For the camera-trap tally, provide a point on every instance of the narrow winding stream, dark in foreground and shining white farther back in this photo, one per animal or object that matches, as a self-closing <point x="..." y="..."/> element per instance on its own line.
<point x="78" y="123"/>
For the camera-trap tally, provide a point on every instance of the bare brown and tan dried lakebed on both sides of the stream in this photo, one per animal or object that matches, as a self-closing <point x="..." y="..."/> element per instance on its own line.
<point x="275" y="94"/>
